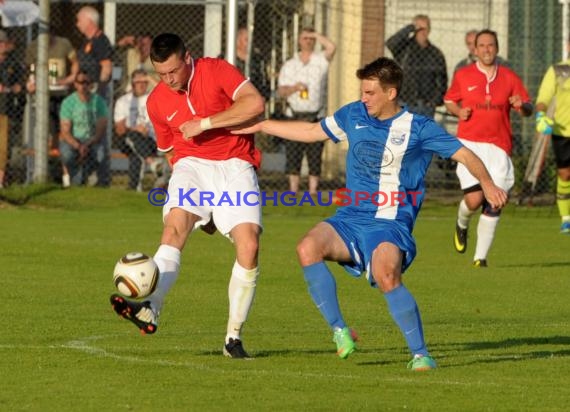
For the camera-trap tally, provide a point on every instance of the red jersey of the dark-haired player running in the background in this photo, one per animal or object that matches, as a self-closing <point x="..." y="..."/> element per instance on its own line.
<point x="489" y="102"/>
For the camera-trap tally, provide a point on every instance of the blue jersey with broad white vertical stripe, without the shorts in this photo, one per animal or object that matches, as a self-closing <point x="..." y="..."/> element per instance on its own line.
<point x="386" y="161"/>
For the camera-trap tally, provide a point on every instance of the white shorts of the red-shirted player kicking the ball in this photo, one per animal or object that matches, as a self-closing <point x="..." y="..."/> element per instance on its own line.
<point x="214" y="188"/>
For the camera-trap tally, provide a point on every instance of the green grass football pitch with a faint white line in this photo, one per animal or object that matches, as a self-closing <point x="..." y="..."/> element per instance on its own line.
<point x="501" y="335"/>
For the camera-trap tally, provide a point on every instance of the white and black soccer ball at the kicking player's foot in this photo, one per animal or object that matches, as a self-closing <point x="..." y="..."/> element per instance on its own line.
<point x="135" y="275"/>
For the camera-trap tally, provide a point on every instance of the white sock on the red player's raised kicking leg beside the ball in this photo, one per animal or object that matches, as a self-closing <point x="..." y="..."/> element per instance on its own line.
<point x="167" y="259"/>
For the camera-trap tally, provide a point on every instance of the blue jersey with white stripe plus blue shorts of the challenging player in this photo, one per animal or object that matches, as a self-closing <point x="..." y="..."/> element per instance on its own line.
<point x="385" y="168"/>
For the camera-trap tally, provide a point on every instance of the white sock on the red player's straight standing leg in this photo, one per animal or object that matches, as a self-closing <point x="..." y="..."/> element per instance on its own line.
<point x="241" y="292"/>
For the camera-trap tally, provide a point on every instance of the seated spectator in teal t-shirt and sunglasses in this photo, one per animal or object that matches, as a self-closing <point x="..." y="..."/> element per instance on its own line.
<point x="83" y="124"/>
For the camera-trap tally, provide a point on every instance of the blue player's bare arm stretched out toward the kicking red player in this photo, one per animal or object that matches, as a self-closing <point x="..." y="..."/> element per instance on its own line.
<point x="306" y="132"/>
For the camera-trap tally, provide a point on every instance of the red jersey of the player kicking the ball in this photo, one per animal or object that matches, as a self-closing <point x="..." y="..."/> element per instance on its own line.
<point x="212" y="88"/>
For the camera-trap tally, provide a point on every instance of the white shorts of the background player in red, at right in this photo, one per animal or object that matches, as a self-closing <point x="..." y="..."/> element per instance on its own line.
<point x="495" y="159"/>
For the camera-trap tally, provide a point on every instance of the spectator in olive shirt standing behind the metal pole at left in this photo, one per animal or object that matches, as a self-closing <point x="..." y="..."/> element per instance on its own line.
<point x="61" y="54"/>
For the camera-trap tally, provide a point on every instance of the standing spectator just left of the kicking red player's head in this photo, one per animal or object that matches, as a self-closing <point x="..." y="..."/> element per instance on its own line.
<point x="135" y="52"/>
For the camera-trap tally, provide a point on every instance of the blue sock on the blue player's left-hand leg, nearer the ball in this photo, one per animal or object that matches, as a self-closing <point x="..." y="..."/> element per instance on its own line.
<point x="322" y="288"/>
